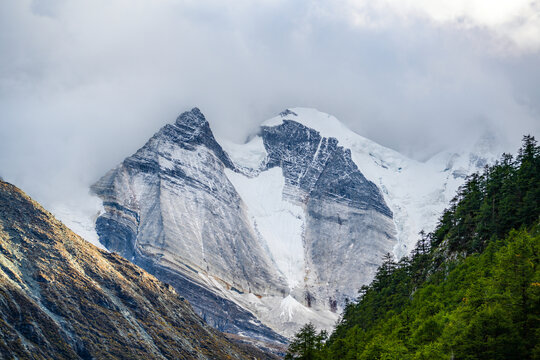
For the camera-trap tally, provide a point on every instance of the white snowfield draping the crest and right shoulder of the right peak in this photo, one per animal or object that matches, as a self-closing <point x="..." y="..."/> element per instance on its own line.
<point x="416" y="192"/>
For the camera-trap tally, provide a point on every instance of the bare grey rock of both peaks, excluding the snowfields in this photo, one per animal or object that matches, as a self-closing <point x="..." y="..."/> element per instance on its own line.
<point x="171" y="209"/>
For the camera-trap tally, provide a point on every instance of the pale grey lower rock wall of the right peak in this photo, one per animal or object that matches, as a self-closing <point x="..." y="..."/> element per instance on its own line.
<point x="344" y="247"/>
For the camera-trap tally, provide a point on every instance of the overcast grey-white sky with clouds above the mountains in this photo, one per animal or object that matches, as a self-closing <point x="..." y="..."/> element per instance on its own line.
<point x="83" y="84"/>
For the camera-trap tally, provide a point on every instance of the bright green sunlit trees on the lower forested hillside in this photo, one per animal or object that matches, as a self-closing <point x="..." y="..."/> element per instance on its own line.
<point x="487" y="307"/>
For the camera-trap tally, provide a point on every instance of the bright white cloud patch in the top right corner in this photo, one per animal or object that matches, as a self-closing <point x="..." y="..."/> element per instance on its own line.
<point x="513" y="25"/>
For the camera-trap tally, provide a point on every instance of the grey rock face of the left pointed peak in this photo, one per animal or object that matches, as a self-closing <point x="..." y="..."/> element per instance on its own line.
<point x="171" y="209"/>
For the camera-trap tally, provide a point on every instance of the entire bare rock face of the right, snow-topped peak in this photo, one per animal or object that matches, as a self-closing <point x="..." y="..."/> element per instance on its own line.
<point x="348" y="227"/>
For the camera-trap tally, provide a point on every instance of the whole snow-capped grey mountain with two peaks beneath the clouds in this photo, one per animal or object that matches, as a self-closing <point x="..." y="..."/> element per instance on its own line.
<point x="265" y="236"/>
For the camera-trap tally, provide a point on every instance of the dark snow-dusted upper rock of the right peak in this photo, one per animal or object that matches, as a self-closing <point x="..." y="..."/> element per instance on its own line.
<point x="316" y="165"/>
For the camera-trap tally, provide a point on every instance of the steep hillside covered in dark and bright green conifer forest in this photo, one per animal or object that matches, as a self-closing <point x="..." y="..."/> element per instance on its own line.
<point x="469" y="290"/>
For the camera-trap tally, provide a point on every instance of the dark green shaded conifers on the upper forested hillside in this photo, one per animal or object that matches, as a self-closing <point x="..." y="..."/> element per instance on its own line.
<point x="504" y="197"/>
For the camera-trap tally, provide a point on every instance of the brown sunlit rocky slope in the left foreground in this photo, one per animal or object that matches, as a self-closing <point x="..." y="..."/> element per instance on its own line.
<point x="63" y="298"/>
